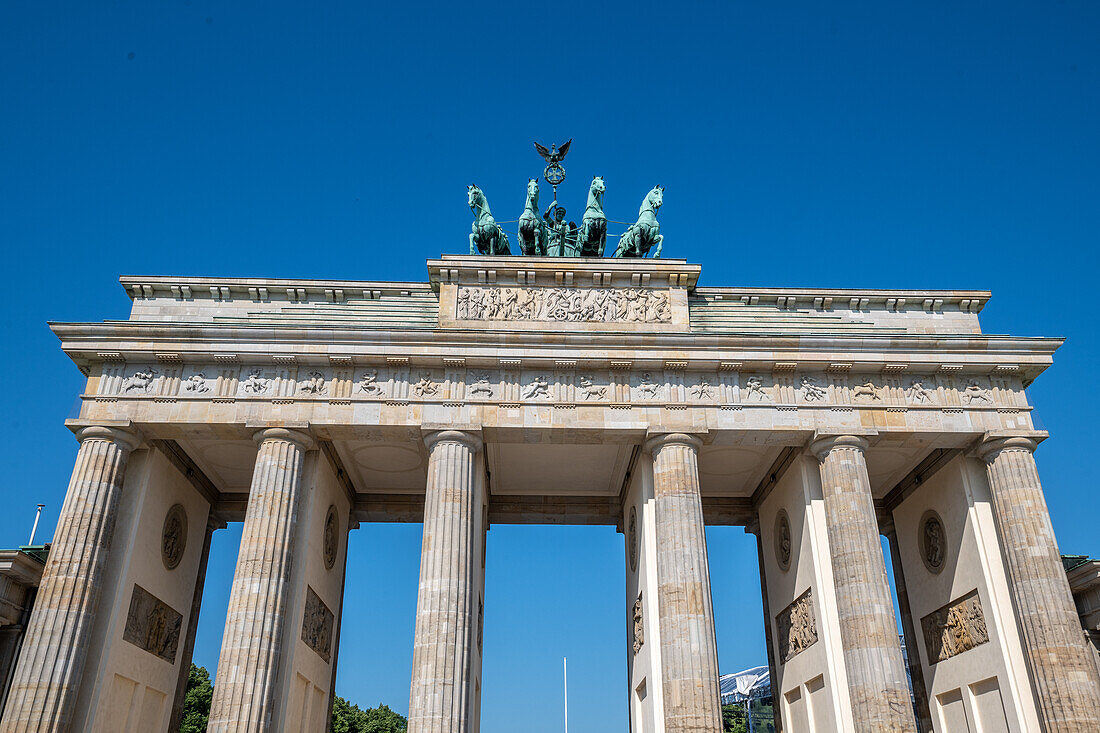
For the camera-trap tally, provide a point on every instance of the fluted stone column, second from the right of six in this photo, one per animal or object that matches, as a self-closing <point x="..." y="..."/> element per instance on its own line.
<point x="868" y="627"/>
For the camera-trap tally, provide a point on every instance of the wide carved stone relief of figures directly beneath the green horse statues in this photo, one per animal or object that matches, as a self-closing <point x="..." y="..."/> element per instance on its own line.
<point x="565" y="304"/>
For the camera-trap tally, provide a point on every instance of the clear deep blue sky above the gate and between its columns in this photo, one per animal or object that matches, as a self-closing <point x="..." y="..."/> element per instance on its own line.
<point x="903" y="145"/>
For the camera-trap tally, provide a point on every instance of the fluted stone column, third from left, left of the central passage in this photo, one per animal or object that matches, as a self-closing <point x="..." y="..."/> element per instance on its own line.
<point x="441" y="697"/>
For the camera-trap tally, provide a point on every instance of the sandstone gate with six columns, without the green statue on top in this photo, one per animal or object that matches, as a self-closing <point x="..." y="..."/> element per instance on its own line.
<point x="559" y="390"/>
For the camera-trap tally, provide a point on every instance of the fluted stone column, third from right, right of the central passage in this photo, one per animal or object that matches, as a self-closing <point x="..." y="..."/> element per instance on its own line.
<point x="689" y="651"/>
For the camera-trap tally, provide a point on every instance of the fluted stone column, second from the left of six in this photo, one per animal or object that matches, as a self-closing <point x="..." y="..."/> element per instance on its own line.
<point x="246" y="686"/>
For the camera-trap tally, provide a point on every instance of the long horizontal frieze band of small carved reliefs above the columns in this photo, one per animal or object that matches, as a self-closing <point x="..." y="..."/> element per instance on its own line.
<point x="399" y="382"/>
